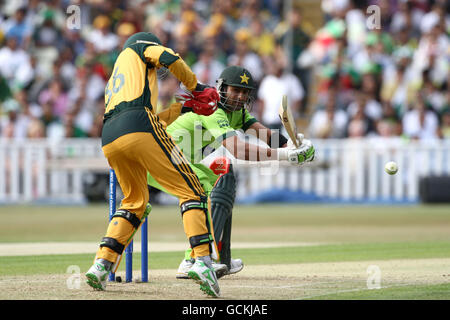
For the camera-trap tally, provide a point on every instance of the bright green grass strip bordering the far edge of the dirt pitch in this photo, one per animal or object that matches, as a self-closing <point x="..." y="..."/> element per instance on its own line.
<point x="49" y="264"/>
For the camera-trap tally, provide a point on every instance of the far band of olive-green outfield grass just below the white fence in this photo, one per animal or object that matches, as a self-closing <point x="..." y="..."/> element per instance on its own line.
<point x="265" y="223"/>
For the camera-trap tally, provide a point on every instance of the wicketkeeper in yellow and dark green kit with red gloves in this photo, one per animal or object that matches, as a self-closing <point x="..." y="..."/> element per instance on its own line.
<point x="135" y="141"/>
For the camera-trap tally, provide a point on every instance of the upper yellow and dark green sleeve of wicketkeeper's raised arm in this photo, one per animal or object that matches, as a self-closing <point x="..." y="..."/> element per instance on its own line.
<point x="160" y="56"/>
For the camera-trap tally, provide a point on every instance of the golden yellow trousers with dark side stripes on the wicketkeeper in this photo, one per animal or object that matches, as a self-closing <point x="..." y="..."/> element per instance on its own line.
<point x="131" y="156"/>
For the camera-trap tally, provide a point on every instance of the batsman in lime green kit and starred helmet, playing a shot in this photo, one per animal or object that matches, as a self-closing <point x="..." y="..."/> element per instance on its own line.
<point x="236" y="88"/>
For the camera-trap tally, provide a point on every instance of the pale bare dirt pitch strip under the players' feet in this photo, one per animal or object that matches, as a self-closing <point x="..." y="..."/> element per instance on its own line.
<point x="263" y="282"/>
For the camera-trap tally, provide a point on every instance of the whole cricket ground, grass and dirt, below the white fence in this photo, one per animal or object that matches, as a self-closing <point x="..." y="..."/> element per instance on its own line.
<point x="338" y="249"/>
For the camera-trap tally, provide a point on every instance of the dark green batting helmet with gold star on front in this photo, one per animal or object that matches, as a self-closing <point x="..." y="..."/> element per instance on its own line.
<point x="235" y="76"/>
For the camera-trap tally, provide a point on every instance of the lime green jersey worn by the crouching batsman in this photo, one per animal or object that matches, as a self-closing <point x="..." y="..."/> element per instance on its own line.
<point x="193" y="132"/>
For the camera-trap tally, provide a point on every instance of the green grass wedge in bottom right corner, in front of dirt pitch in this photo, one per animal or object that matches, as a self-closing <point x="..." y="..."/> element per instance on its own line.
<point x="410" y="292"/>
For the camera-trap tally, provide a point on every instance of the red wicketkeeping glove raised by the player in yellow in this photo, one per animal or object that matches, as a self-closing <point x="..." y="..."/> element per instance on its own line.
<point x="202" y="102"/>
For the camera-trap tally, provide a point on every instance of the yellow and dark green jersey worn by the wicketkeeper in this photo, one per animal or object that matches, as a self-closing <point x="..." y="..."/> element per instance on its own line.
<point x="133" y="86"/>
